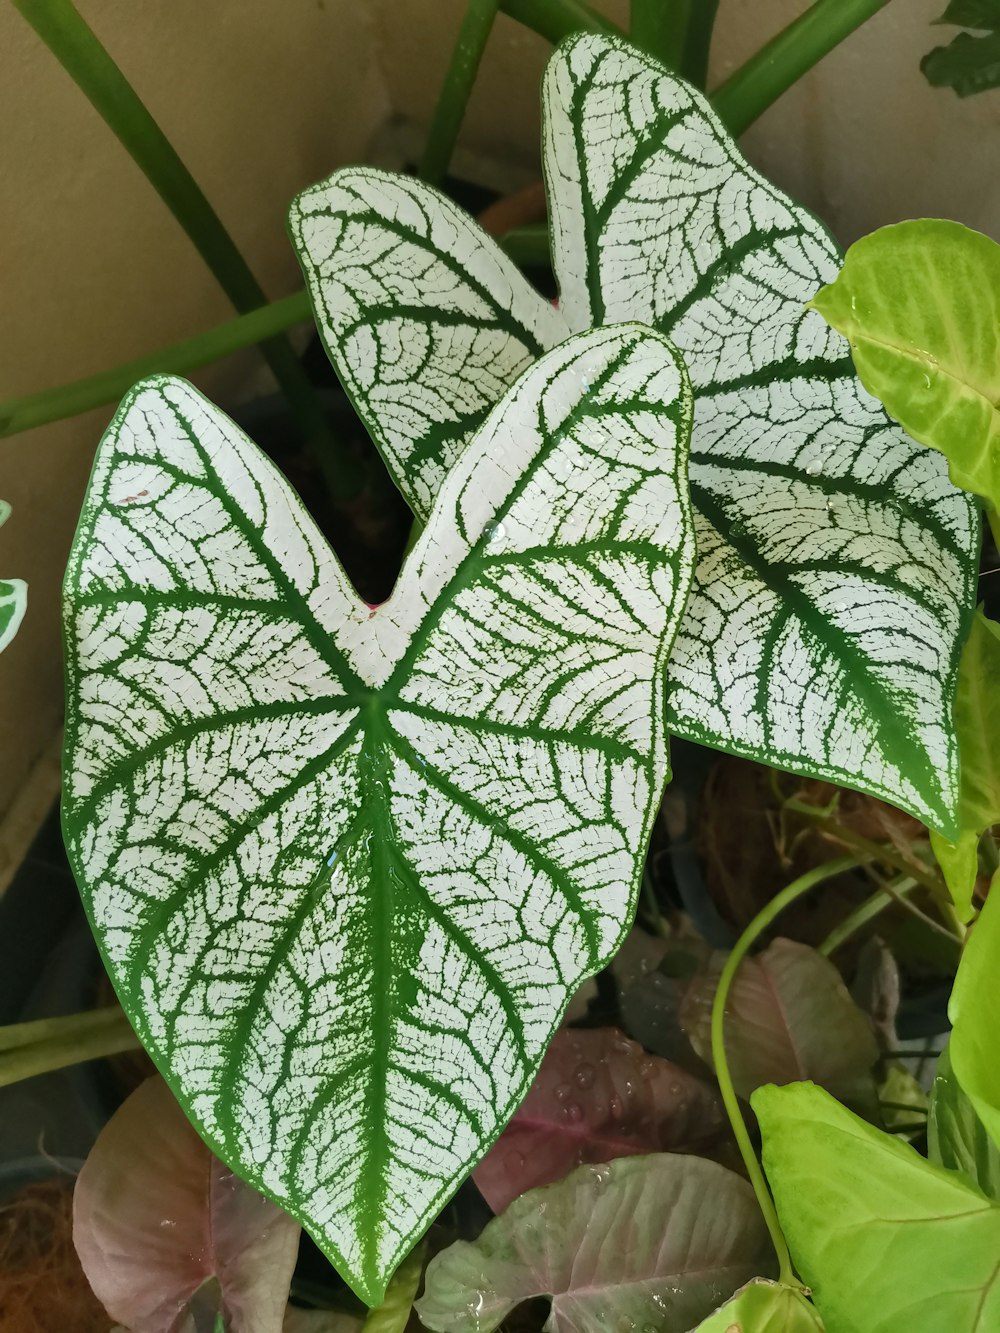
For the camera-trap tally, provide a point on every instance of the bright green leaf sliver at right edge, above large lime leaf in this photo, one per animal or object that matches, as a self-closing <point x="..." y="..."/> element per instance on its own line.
<point x="975" y="1042"/>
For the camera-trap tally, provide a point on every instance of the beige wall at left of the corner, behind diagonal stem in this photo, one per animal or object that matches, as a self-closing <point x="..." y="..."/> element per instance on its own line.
<point x="259" y="99"/>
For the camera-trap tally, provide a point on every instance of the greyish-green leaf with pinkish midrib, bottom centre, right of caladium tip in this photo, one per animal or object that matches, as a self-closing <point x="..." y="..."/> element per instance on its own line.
<point x="642" y="1243"/>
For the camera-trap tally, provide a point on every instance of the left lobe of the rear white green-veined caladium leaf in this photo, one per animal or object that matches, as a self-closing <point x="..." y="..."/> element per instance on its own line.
<point x="427" y="319"/>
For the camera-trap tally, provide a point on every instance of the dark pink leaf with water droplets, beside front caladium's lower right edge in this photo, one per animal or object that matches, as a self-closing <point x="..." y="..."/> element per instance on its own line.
<point x="597" y="1096"/>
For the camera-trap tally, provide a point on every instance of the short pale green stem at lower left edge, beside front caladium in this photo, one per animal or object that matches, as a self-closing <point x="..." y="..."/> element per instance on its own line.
<point x="37" y="1048"/>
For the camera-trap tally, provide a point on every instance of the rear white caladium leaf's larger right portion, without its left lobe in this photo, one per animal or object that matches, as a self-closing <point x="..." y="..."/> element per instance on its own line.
<point x="837" y="563"/>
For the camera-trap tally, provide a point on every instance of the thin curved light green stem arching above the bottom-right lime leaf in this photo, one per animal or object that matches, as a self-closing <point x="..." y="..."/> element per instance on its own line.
<point x="726" y="1086"/>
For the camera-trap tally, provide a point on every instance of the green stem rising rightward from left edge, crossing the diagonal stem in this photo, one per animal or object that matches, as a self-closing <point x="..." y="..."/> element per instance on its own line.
<point x="69" y="401"/>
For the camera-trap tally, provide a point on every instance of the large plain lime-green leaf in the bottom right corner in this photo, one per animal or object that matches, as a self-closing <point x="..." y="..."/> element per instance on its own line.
<point x="886" y="1242"/>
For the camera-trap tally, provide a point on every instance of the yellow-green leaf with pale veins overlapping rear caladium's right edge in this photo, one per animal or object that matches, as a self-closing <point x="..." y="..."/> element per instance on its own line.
<point x="921" y="306"/>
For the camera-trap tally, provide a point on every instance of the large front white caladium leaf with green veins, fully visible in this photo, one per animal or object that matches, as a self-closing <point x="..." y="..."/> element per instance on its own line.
<point x="347" y="867"/>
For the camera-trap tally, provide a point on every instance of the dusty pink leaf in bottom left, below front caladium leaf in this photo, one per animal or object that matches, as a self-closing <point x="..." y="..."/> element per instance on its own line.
<point x="157" y="1218"/>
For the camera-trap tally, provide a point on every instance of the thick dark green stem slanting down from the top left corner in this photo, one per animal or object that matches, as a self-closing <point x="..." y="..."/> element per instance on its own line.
<point x="90" y="66"/>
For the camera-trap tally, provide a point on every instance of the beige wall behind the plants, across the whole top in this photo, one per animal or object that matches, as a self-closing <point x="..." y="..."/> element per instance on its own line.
<point x="262" y="98"/>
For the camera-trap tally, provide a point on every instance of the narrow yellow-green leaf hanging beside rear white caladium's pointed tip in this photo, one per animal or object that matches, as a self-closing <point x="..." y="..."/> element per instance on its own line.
<point x="978" y="727"/>
